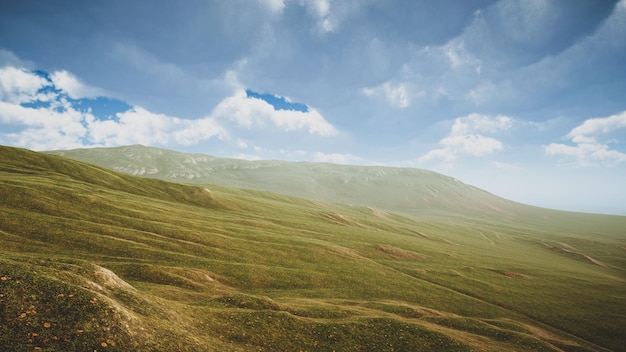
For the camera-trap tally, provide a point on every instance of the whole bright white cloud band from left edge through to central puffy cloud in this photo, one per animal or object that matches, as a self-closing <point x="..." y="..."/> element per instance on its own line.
<point x="53" y="112"/>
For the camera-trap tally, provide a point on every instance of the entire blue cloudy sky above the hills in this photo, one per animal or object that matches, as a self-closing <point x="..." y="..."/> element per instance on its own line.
<point x="523" y="98"/>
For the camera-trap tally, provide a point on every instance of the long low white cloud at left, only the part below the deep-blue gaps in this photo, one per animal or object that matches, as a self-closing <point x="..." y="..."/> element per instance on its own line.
<point x="50" y="128"/>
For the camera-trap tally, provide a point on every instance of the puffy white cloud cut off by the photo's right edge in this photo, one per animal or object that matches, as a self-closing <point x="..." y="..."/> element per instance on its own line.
<point x="591" y="142"/>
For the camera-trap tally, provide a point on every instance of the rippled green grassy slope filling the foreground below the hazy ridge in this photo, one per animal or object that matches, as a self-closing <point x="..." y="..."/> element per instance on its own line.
<point x="155" y="265"/>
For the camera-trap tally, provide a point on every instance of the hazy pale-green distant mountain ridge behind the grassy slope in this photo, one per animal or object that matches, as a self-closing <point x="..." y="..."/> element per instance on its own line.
<point x="404" y="190"/>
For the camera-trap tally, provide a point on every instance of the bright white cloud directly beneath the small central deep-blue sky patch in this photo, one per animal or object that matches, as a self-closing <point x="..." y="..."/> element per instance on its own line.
<point x="250" y="112"/>
